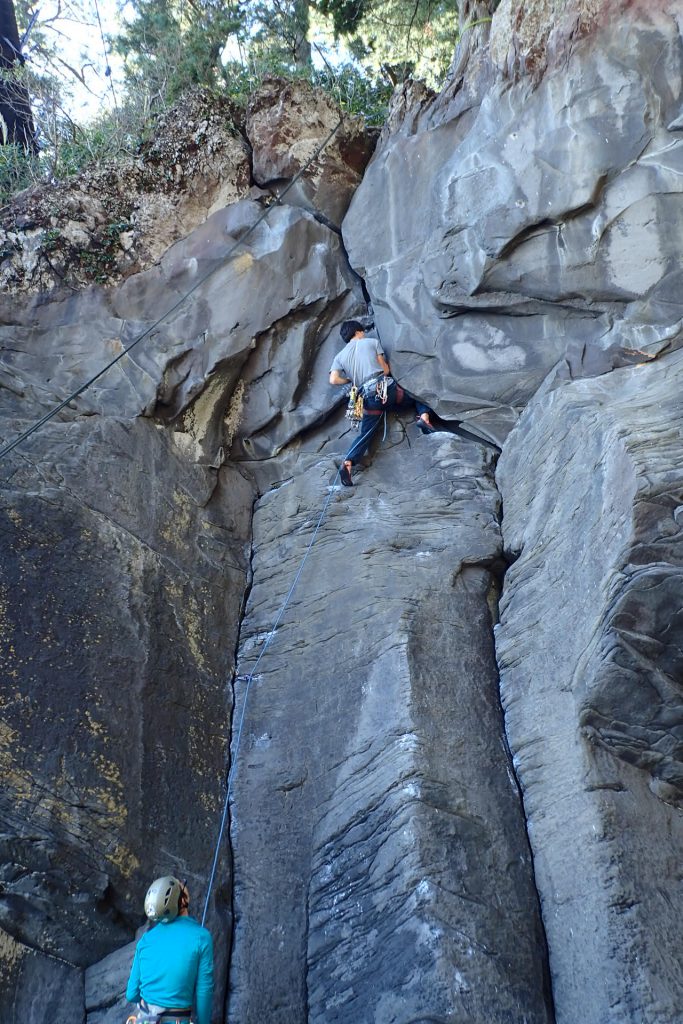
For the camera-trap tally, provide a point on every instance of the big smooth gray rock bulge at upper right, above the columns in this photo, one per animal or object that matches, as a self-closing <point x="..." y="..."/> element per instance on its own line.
<point x="544" y="231"/>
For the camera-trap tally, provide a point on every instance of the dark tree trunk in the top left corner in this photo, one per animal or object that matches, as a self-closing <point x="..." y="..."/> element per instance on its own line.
<point x="17" y="125"/>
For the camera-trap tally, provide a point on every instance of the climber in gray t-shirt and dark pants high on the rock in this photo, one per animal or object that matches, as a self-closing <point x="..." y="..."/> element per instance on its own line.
<point x="363" y="364"/>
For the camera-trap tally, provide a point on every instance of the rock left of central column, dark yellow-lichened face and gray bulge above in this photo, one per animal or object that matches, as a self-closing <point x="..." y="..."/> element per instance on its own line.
<point x="126" y="545"/>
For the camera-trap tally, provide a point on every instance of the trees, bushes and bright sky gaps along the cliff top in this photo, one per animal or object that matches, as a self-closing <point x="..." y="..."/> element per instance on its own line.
<point x="158" y="50"/>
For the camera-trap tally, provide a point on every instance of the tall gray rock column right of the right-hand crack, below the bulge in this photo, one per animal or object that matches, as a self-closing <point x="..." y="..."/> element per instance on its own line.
<point x="589" y="650"/>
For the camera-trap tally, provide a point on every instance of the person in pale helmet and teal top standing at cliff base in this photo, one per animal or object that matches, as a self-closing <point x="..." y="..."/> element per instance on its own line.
<point x="174" y="966"/>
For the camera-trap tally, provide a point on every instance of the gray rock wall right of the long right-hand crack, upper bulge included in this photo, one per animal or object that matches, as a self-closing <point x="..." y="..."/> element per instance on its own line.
<point x="533" y="239"/>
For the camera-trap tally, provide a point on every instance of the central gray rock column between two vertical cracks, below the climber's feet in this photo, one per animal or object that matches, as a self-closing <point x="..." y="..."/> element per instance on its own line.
<point x="382" y="871"/>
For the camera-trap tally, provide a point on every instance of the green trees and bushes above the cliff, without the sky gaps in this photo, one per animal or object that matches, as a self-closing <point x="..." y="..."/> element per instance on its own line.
<point x="172" y="46"/>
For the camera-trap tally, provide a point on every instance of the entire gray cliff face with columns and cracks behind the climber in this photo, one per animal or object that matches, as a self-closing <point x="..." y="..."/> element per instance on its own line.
<point x="409" y="841"/>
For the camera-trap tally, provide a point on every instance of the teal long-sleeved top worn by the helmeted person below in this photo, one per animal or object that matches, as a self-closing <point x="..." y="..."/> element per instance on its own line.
<point x="174" y="967"/>
